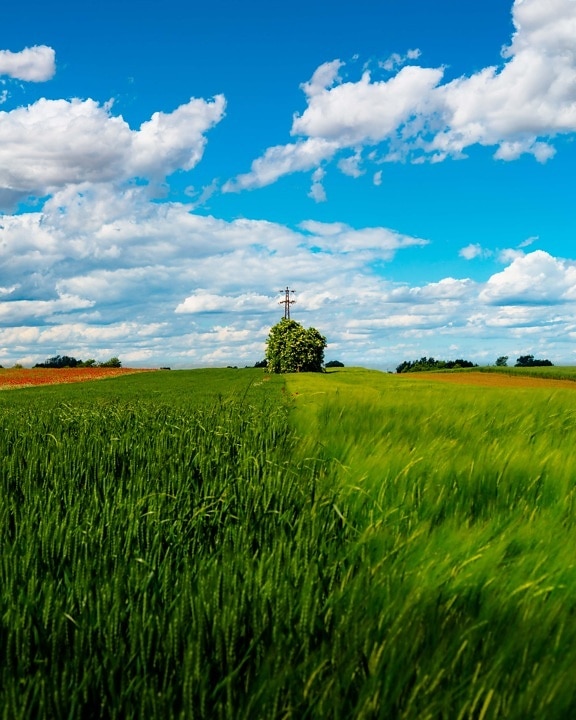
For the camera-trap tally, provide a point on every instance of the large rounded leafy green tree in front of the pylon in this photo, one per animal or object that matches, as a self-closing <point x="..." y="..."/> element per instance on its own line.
<point x="292" y="348"/>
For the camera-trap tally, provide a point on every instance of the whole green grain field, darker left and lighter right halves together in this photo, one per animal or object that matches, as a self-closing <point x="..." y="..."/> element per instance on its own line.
<point x="222" y="544"/>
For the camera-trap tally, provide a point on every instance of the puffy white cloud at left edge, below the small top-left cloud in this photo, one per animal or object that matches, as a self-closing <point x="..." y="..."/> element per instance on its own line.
<point x="52" y="144"/>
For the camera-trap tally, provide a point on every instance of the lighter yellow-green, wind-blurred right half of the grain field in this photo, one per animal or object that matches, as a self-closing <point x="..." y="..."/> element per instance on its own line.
<point x="462" y="502"/>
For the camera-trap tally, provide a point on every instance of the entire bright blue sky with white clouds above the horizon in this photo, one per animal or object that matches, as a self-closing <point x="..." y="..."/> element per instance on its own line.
<point x="406" y="166"/>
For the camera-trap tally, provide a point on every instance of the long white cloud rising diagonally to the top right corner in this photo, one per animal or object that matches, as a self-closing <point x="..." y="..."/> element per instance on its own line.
<point x="516" y="106"/>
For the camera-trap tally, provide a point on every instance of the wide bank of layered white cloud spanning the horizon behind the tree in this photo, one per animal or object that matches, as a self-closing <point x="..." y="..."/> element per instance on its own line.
<point x="99" y="273"/>
